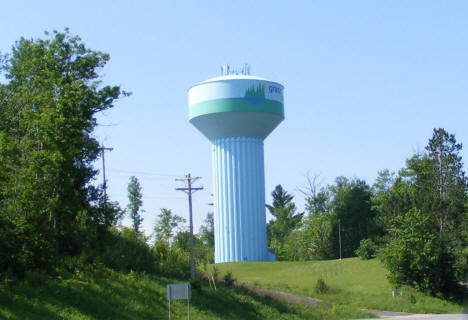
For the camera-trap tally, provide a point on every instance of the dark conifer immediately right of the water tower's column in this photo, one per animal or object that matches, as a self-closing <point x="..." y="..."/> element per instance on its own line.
<point x="286" y="219"/>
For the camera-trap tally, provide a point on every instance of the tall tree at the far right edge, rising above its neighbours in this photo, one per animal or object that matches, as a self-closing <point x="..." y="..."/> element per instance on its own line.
<point x="436" y="190"/>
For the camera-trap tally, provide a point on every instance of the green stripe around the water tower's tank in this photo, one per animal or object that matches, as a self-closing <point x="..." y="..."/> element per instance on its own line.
<point x="235" y="105"/>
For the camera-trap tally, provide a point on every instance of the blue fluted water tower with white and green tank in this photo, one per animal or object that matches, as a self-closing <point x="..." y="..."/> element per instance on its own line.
<point x="236" y="112"/>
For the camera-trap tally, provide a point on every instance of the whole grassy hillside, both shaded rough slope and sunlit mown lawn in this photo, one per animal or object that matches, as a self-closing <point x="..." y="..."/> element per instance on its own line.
<point x="106" y="294"/>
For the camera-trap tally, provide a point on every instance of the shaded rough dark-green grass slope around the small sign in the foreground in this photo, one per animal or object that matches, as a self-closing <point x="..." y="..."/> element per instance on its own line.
<point x="106" y="294"/>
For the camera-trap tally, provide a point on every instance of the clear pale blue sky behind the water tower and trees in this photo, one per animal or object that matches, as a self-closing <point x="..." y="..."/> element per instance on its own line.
<point x="365" y="83"/>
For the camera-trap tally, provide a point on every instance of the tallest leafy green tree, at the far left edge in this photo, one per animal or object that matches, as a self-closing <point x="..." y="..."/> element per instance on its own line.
<point x="48" y="108"/>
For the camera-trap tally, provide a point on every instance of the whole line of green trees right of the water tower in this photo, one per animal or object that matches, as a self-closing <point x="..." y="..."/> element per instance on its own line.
<point x="415" y="221"/>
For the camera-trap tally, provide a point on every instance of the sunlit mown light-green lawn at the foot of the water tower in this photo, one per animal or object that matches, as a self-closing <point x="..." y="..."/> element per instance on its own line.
<point x="353" y="283"/>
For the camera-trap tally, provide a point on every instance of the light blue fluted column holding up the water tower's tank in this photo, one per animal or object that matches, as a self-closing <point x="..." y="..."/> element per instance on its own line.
<point x="239" y="200"/>
